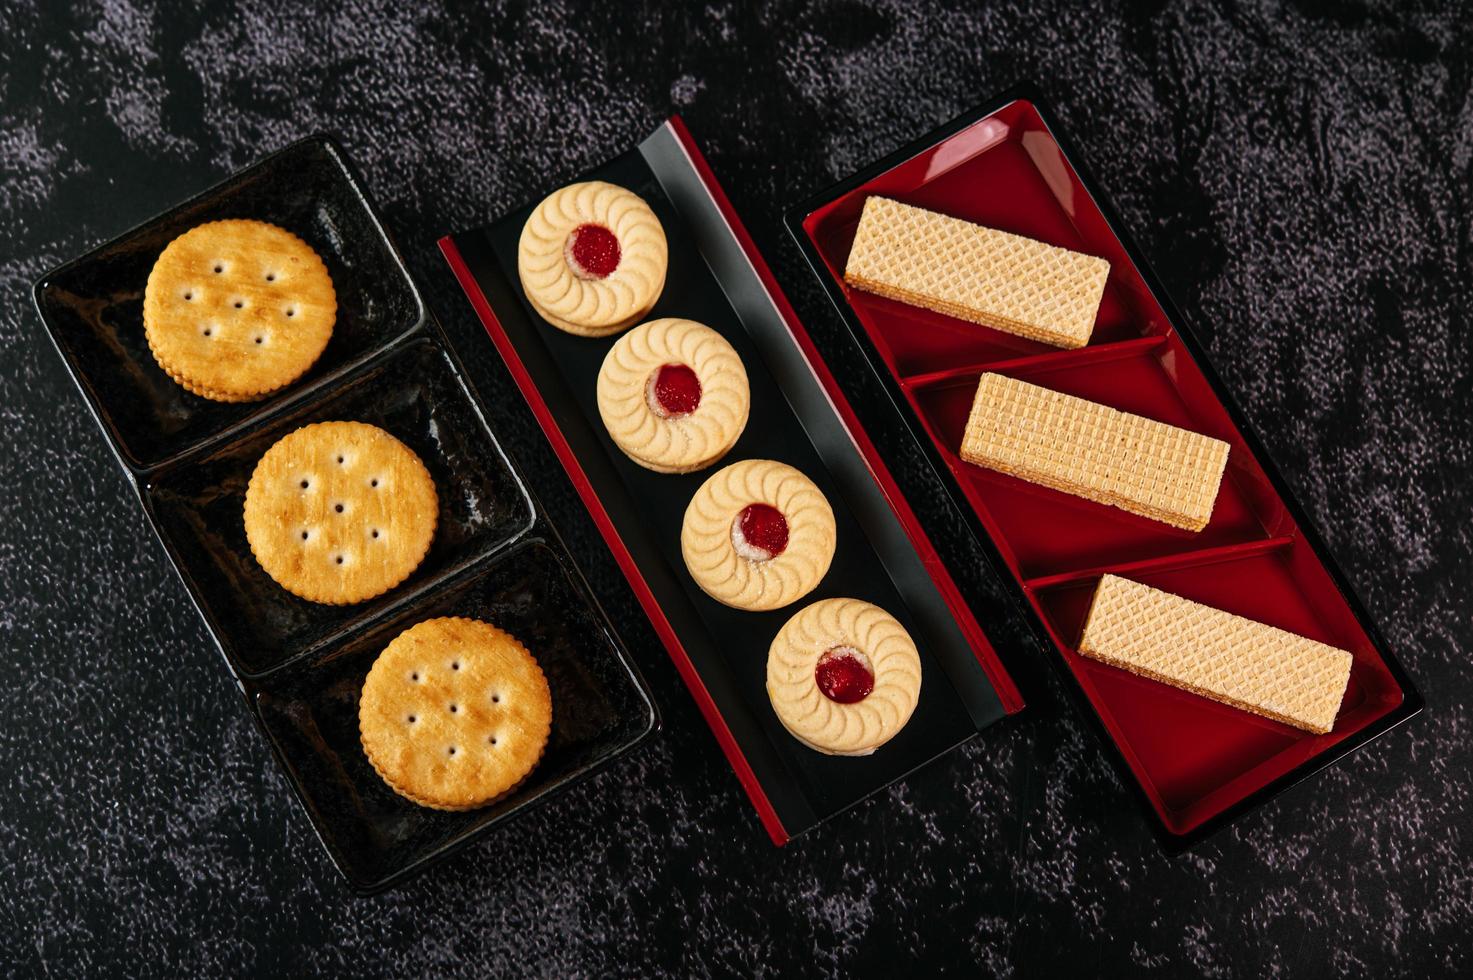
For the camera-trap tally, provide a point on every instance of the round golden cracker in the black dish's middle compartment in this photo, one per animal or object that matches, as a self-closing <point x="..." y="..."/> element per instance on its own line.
<point x="341" y="512"/>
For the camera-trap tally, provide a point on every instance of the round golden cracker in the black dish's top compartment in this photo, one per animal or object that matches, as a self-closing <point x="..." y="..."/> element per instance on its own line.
<point x="238" y="310"/>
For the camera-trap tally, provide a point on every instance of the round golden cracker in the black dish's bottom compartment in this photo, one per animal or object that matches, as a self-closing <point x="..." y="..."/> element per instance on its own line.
<point x="454" y="714"/>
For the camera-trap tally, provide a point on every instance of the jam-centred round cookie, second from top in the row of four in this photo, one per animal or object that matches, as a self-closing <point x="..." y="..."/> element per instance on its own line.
<point x="674" y="396"/>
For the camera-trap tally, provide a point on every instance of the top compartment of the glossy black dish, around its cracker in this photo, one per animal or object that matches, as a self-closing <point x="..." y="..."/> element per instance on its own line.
<point x="94" y="306"/>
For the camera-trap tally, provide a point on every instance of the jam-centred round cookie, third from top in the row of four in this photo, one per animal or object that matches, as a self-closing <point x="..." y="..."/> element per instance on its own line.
<point x="758" y="536"/>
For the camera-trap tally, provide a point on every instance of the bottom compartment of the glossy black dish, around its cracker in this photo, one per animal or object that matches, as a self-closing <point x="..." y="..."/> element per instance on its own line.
<point x="312" y="714"/>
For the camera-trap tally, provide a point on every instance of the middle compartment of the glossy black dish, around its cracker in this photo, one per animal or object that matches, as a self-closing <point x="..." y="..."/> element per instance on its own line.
<point x="413" y="394"/>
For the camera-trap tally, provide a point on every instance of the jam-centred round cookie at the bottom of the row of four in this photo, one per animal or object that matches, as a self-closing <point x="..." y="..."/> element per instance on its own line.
<point x="843" y="677"/>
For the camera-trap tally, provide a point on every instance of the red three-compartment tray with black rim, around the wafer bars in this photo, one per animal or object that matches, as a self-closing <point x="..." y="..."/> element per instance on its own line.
<point x="1197" y="764"/>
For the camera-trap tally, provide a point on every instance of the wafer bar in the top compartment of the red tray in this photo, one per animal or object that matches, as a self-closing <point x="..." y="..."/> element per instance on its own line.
<point x="974" y="273"/>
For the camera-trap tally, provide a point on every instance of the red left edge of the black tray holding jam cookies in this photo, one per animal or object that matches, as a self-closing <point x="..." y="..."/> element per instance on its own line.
<point x="616" y="546"/>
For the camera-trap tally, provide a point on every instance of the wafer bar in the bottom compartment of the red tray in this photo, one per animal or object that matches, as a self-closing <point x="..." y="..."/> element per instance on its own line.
<point x="1235" y="661"/>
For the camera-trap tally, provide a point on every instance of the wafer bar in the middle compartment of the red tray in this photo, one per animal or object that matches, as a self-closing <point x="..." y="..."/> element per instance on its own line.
<point x="1094" y="452"/>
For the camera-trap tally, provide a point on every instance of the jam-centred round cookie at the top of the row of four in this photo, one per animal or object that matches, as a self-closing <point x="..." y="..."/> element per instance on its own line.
<point x="593" y="259"/>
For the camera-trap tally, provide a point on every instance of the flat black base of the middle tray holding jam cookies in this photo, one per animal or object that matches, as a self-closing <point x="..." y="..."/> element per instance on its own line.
<point x="728" y="646"/>
